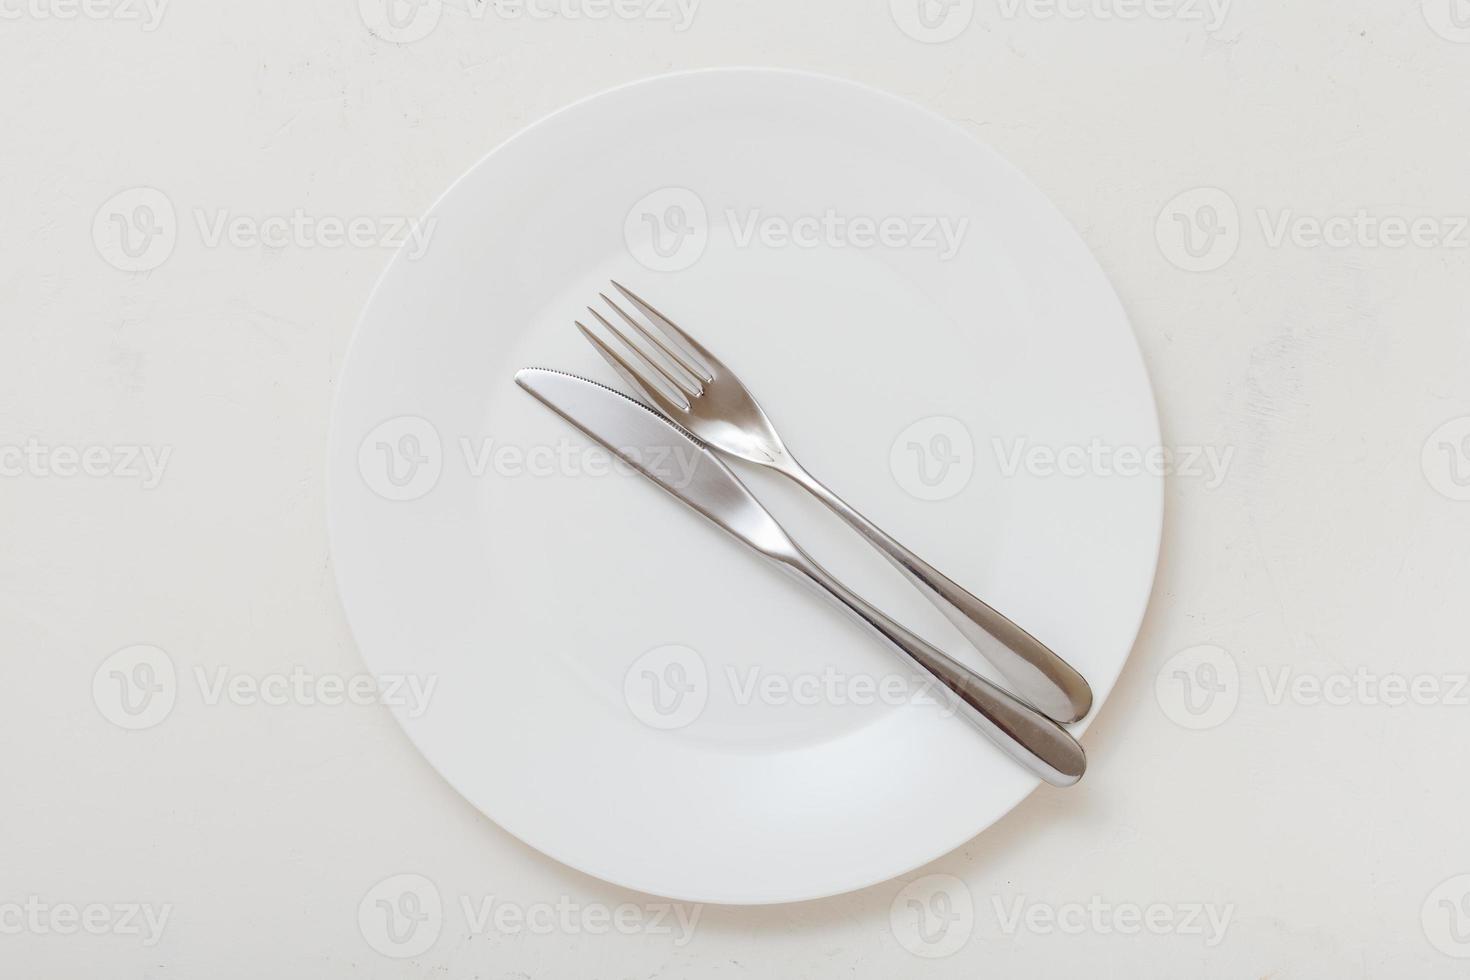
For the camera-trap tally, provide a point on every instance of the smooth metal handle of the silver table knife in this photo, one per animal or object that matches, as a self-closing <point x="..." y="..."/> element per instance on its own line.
<point x="1021" y="731"/>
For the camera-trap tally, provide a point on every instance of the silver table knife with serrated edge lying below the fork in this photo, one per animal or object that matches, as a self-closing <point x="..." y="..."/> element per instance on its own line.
<point x="675" y="461"/>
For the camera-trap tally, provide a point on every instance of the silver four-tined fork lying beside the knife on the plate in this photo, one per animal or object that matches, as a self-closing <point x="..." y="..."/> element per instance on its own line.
<point x="695" y="389"/>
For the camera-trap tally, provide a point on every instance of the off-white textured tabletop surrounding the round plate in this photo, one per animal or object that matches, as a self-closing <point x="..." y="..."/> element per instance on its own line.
<point x="1322" y="831"/>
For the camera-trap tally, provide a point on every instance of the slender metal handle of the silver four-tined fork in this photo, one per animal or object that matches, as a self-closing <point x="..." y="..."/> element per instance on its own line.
<point x="1036" y="672"/>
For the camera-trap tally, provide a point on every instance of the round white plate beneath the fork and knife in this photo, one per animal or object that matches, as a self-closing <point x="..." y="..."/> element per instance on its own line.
<point x="553" y="605"/>
